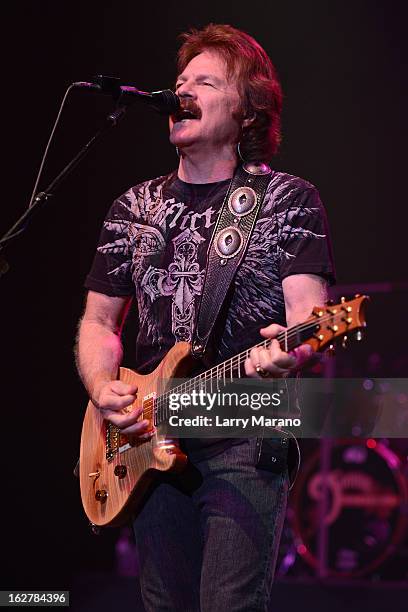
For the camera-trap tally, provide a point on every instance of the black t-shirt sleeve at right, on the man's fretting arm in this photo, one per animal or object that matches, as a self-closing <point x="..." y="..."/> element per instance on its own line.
<point x="304" y="245"/>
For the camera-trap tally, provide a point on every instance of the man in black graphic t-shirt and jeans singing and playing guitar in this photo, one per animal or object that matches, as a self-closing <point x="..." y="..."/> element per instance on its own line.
<point x="207" y="540"/>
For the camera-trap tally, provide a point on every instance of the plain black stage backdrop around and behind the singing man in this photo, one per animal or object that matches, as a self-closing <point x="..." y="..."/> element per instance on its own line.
<point x="342" y="66"/>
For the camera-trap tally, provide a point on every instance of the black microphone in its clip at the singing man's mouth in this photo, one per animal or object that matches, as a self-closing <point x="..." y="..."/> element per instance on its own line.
<point x="165" y="102"/>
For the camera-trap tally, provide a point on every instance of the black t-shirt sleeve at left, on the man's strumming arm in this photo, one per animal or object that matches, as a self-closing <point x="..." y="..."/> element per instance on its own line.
<point x="110" y="272"/>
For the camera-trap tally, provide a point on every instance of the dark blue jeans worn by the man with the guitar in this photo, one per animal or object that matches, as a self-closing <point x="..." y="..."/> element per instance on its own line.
<point x="208" y="539"/>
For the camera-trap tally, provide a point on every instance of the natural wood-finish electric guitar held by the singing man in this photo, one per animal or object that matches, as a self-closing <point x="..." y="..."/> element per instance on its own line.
<point x="115" y="471"/>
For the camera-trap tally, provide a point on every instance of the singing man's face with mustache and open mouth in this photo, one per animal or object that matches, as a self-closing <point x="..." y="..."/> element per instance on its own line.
<point x="204" y="90"/>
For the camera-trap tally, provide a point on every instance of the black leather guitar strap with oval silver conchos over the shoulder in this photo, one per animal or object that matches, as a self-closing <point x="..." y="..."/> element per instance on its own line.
<point x="228" y="245"/>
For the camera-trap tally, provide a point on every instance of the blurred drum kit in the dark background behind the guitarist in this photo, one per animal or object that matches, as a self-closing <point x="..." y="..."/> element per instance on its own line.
<point x="348" y="510"/>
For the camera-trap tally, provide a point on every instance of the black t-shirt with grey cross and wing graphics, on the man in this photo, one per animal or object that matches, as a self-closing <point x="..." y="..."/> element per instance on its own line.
<point x="154" y="244"/>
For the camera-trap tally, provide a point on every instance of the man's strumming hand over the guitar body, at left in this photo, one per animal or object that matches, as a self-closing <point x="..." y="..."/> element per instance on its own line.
<point x="114" y="399"/>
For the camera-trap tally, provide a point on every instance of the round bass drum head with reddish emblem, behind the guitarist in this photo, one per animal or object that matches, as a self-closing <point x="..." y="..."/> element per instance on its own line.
<point x="366" y="512"/>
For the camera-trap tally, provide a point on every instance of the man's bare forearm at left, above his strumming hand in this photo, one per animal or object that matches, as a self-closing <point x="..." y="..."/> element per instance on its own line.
<point x="98" y="356"/>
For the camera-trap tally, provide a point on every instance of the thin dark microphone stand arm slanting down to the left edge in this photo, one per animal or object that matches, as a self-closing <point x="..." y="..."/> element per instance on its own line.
<point x="42" y="196"/>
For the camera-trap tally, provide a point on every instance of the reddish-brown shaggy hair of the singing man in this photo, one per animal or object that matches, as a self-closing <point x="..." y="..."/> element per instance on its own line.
<point x="258" y="85"/>
